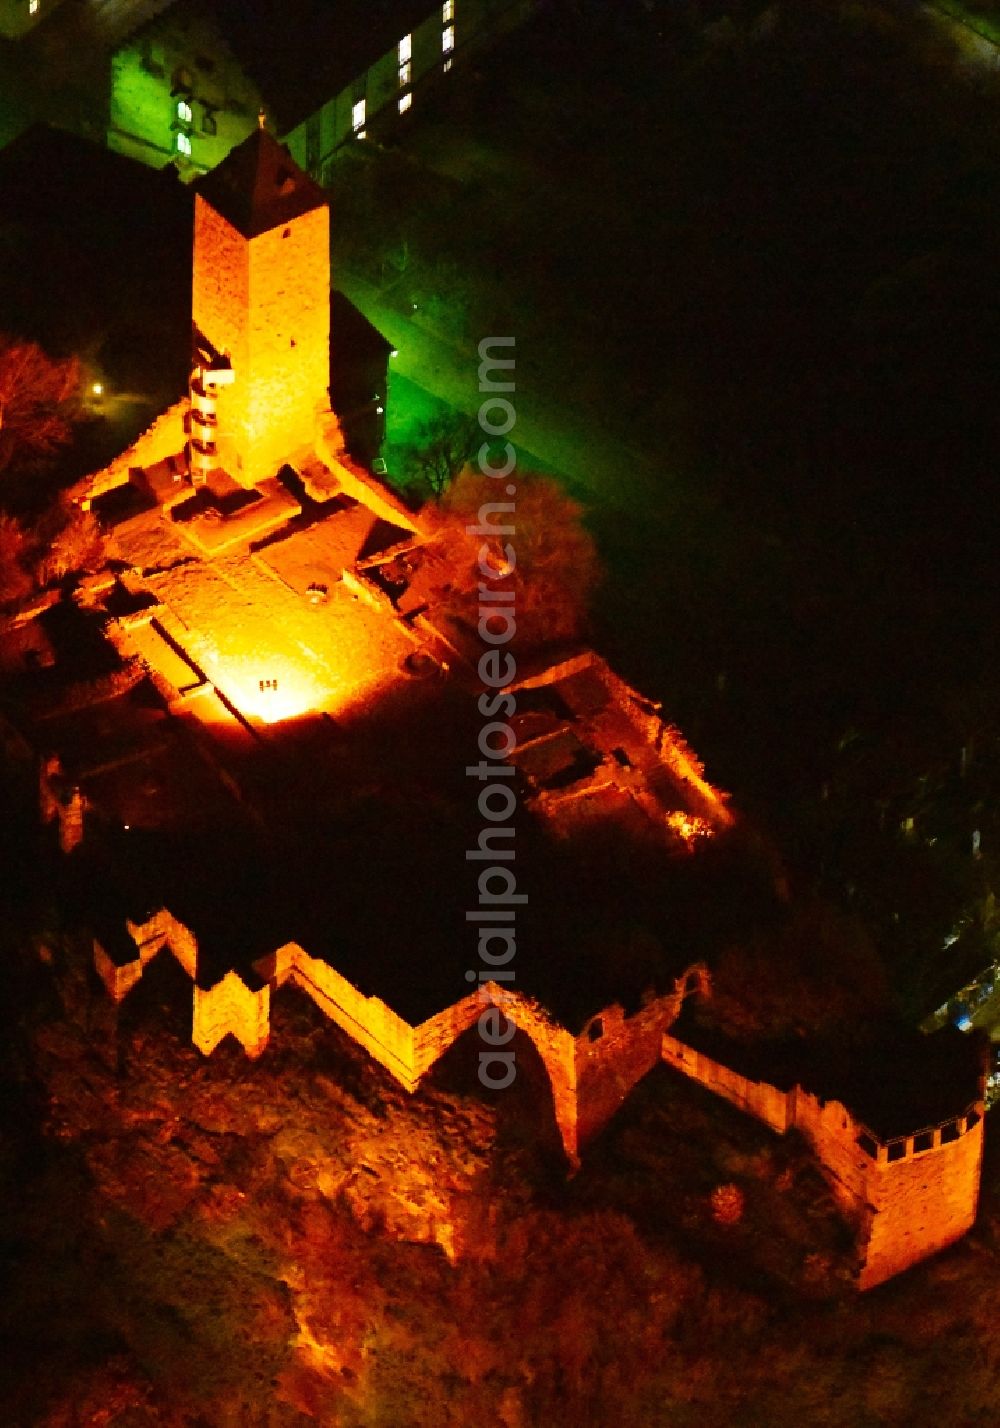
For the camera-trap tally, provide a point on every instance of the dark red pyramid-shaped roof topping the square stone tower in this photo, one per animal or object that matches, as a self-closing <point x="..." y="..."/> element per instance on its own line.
<point x="259" y="186"/>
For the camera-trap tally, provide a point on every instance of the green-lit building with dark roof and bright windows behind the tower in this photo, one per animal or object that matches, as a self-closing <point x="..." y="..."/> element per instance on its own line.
<point x="188" y="86"/>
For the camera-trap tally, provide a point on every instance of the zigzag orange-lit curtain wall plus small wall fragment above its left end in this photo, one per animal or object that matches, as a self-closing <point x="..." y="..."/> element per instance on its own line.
<point x="908" y="1196"/>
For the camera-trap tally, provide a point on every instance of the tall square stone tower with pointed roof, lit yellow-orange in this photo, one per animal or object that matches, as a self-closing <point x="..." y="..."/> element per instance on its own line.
<point x="261" y="312"/>
